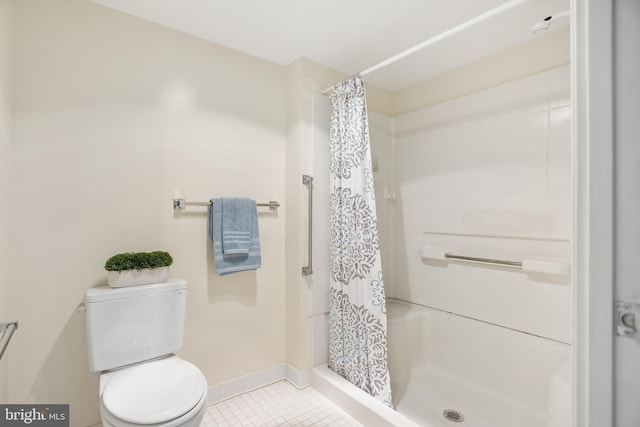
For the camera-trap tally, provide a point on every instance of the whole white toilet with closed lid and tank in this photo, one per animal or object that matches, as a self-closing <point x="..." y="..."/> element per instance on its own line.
<point x="132" y="333"/>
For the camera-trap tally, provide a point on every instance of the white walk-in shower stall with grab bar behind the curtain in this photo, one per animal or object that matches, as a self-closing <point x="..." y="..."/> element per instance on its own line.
<point x="474" y="198"/>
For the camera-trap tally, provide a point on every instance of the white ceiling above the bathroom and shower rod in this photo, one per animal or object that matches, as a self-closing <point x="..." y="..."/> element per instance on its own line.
<point x="352" y="35"/>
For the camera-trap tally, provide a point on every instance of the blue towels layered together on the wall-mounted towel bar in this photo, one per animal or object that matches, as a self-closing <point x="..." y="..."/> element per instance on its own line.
<point x="238" y="252"/>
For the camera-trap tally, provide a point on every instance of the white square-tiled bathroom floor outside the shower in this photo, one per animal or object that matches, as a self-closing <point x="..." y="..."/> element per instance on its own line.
<point x="277" y="405"/>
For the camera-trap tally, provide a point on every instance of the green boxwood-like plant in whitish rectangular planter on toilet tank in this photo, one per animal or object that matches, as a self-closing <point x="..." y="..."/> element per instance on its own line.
<point x="138" y="268"/>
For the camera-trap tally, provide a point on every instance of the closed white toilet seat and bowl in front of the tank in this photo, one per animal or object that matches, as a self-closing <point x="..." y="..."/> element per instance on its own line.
<point x="160" y="392"/>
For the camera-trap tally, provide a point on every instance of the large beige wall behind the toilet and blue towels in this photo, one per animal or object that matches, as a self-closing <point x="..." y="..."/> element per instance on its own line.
<point x="114" y="117"/>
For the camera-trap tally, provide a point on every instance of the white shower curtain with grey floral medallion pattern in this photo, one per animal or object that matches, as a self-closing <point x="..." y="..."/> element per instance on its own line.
<point x="357" y="310"/>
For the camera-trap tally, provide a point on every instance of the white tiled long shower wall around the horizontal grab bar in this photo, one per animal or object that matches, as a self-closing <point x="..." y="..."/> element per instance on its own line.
<point x="488" y="166"/>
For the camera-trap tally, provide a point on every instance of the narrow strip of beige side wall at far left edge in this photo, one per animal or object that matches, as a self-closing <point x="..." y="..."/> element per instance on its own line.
<point x="6" y="106"/>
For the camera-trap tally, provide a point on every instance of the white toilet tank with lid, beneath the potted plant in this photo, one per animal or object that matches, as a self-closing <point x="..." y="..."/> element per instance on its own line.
<point x="133" y="324"/>
